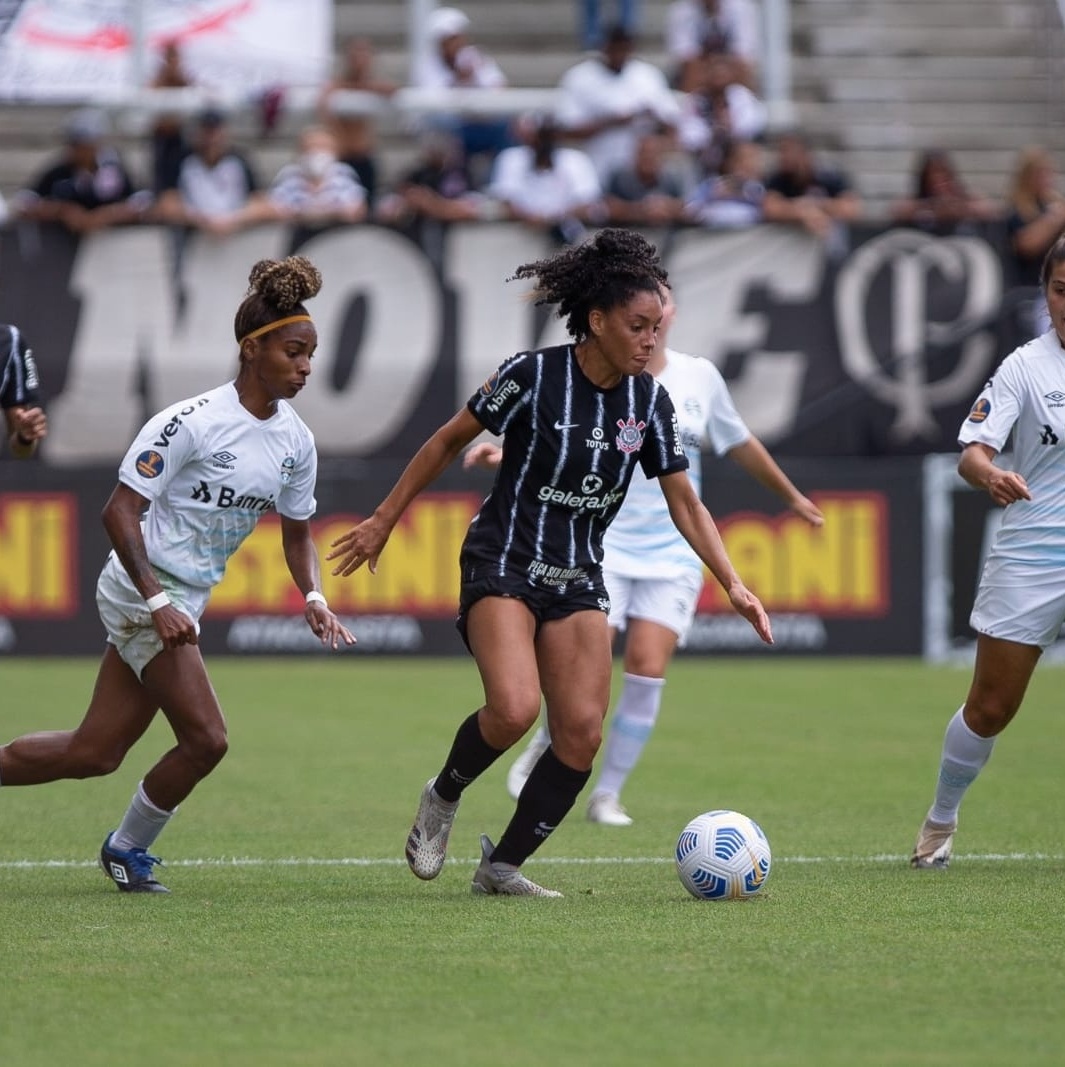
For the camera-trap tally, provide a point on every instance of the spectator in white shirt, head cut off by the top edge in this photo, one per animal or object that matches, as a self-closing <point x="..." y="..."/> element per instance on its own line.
<point x="696" y="29"/>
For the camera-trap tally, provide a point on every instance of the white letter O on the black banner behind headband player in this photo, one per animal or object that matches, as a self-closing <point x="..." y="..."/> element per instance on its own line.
<point x="401" y="344"/>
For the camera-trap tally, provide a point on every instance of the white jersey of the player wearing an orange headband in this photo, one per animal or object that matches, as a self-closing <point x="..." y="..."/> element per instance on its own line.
<point x="211" y="471"/>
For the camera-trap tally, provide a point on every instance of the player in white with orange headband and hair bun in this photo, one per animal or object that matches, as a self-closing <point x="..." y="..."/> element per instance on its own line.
<point x="193" y="486"/>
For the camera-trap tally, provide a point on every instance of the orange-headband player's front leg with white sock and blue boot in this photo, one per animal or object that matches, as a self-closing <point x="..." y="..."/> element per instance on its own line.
<point x="177" y="680"/>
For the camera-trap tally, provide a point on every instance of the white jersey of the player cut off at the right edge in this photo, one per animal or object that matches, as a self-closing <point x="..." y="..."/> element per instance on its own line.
<point x="1027" y="397"/>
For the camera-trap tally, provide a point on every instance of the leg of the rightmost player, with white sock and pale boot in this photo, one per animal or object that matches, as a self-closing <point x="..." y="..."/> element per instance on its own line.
<point x="1002" y="676"/>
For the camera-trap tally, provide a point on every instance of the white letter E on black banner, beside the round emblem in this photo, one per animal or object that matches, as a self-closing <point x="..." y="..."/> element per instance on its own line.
<point x="711" y="276"/>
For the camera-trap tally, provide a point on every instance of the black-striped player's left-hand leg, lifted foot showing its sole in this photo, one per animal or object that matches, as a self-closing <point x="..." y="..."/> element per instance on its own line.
<point x="500" y="632"/>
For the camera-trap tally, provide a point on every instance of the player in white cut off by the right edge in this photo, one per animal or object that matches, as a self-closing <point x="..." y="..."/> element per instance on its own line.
<point x="1021" y="602"/>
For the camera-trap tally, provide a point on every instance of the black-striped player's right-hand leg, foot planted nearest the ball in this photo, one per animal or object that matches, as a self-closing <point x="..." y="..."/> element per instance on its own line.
<point x="574" y="655"/>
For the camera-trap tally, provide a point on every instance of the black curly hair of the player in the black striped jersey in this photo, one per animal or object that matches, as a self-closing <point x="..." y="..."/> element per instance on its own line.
<point x="603" y="273"/>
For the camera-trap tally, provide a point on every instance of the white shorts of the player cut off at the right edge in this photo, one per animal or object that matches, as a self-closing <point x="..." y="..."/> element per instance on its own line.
<point x="1013" y="608"/>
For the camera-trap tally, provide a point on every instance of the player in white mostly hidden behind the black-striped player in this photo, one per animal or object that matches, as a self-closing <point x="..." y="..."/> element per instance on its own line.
<point x="653" y="576"/>
